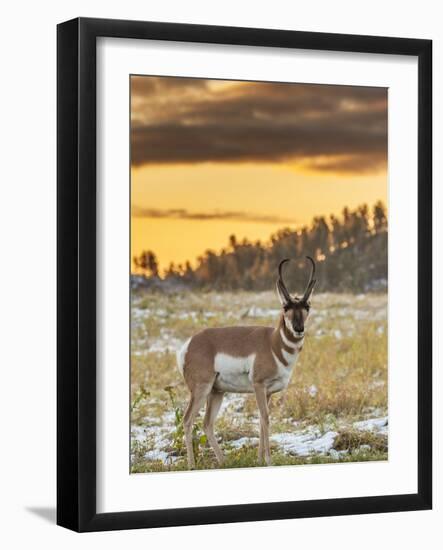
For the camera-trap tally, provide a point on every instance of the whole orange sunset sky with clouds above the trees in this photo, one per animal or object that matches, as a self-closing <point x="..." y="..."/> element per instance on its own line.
<point x="212" y="158"/>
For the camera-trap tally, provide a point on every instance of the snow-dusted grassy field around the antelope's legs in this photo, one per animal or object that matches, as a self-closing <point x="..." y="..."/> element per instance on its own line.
<point x="334" y="410"/>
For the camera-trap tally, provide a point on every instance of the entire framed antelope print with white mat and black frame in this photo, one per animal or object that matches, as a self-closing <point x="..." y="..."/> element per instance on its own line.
<point x="244" y="274"/>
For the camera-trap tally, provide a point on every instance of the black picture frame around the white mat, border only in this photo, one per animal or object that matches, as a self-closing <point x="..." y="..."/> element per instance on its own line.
<point x="76" y="278"/>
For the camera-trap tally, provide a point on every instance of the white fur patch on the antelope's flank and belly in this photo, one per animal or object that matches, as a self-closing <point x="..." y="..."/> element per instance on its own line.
<point x="234" y="373"/>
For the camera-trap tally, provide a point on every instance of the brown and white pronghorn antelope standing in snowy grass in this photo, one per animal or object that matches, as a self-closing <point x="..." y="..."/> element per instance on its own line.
<point x="248" y="359"/>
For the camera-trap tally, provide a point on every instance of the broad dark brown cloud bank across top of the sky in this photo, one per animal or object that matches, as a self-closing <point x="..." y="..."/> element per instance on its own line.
<point x="324" y="127"/>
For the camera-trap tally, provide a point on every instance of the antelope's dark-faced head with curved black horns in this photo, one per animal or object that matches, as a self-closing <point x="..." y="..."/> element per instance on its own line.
<point x="295" y="308"/>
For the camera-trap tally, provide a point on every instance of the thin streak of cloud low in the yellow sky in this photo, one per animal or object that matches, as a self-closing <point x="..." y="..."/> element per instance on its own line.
<point x="183" y="214"/>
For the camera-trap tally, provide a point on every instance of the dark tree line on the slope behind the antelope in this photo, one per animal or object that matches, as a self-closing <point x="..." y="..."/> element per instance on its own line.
<point x="350" y="252"/>
